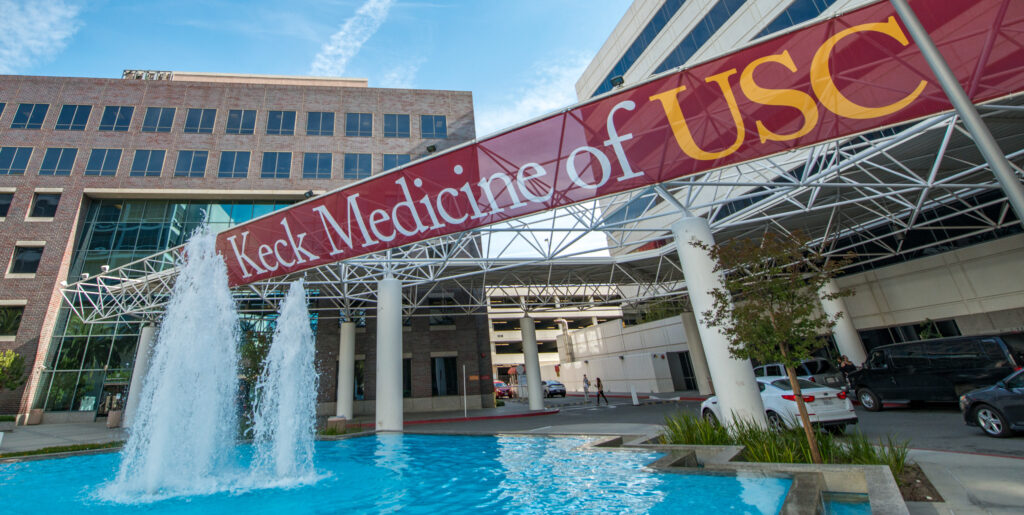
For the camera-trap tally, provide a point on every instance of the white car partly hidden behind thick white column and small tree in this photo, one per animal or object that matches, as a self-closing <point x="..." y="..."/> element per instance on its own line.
<point x="828" y="407"/>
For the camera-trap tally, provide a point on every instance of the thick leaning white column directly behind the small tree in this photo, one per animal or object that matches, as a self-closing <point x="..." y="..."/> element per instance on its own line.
<point x="734" y="379"/>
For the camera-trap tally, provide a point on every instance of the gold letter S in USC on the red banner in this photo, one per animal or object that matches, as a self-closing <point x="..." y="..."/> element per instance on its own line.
<point x="788" y="98"/>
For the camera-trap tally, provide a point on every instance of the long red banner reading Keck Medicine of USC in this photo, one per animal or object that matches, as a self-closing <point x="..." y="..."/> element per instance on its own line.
<point x="835" y="79"/>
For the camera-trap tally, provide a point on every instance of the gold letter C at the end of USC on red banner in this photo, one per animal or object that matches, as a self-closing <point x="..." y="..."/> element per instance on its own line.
<point x="826" y="89"/>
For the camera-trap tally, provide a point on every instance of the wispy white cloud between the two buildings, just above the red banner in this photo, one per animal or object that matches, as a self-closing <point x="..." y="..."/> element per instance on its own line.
<point x="552" y="88"/>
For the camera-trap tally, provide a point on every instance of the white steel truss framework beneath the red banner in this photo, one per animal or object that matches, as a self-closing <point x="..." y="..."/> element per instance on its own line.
<point x="869" y="192"/>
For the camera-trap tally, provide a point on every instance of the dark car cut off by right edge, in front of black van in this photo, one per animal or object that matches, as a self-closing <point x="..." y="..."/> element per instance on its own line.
<point x="998" y="410"/>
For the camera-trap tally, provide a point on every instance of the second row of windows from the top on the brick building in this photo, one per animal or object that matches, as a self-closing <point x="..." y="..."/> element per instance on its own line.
<point x="234" y="164"/>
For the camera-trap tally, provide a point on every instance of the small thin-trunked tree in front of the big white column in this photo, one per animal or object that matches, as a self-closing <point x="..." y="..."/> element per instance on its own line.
<point x="771" y="308"/>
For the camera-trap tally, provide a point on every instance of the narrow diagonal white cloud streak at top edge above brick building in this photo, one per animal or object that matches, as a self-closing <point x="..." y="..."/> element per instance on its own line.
<point x="346" y="44"/>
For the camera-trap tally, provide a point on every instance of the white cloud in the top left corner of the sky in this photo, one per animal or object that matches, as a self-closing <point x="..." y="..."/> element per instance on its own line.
<point x="34" y="31"/>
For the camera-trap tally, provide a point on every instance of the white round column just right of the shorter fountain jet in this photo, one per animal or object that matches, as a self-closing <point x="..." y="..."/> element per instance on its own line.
<point x="390" y="409"/>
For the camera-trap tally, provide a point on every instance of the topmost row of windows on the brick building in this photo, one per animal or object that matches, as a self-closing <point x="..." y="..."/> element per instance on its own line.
<point x="201" y="121"/>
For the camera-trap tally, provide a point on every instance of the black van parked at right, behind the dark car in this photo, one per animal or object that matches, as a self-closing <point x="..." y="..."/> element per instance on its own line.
<point x="933" y="370"/>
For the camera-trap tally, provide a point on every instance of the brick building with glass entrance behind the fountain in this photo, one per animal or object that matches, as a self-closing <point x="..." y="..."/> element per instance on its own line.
<point x="100" y="173"/>
